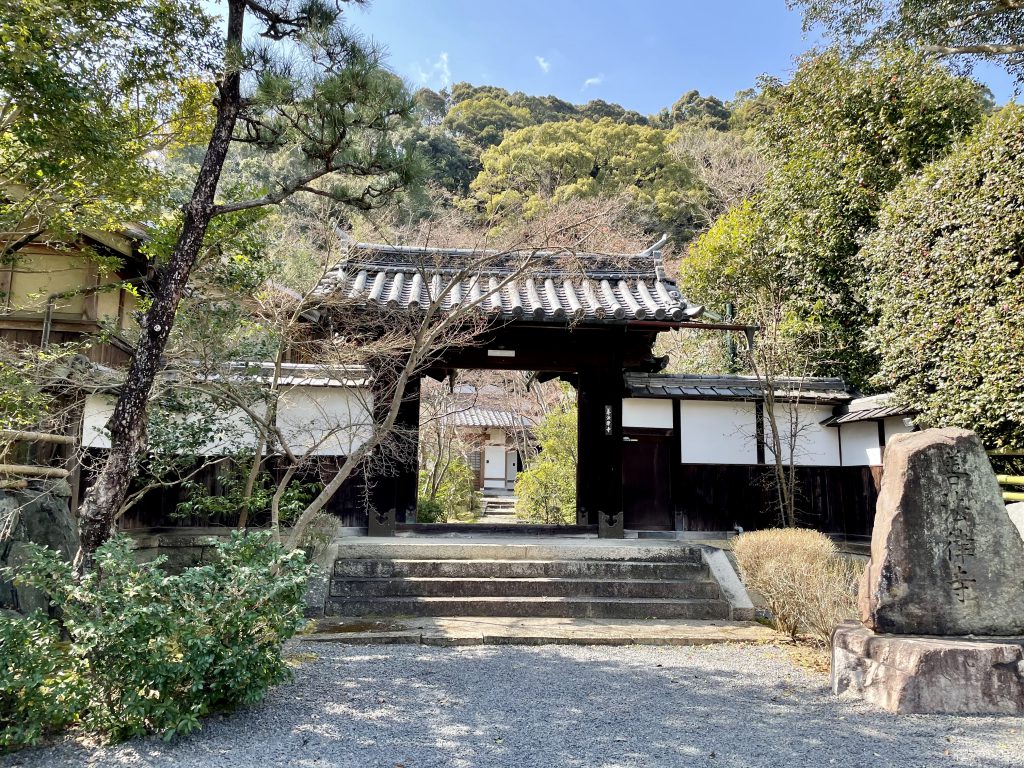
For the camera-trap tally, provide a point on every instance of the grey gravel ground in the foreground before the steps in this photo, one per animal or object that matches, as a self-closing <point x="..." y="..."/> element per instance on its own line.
<point x="560" y="706"/>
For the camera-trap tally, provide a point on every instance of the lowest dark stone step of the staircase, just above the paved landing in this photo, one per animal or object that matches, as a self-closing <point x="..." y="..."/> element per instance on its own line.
<point x="574" y="608"/>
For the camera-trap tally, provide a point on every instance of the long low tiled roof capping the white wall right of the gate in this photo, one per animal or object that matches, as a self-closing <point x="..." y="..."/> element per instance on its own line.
<point x="693" y="387"/>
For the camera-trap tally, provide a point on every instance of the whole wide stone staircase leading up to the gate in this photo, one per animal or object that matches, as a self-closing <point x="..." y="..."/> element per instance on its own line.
<point x="578" y="580"/>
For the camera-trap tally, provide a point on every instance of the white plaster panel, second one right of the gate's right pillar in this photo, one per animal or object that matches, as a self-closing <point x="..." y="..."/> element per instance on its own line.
<point x="718" y="433"/>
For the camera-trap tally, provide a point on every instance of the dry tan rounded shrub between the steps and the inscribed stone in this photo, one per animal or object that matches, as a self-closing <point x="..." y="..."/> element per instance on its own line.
<point x="806" y="582"/>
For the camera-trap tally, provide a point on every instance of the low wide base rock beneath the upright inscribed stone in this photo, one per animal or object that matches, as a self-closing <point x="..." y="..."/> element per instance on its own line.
<point x="928" y="675"/>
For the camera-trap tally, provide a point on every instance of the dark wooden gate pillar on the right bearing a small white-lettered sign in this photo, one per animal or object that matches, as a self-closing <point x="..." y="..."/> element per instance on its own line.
<point x="600" y="474"/>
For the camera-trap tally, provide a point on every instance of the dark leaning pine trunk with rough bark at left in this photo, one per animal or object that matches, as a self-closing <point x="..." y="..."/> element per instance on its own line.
<point x="97" y="517"/>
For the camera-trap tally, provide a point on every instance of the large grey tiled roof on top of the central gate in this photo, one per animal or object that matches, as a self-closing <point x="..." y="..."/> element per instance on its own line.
<point x="556" y="287"/>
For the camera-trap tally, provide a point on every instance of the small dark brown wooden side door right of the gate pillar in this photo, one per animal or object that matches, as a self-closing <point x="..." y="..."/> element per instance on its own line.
<point x="648" y="482"/>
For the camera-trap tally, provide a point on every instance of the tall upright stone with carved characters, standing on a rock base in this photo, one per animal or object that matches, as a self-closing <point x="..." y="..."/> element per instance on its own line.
<point x="946" y="558"/>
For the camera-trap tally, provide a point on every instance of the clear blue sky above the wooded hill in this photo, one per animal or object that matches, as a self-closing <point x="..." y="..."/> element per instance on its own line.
<point x="641" y="54"/>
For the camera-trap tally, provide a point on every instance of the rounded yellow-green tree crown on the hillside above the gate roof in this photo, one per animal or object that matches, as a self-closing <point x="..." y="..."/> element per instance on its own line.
<point x="548" y="164"/>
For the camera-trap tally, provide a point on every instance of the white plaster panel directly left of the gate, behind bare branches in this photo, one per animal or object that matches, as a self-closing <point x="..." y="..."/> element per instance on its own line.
<point x="325" y="421"/>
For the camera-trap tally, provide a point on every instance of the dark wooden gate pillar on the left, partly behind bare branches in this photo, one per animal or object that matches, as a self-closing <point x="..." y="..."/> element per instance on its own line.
<point x="396" y="486"/>
